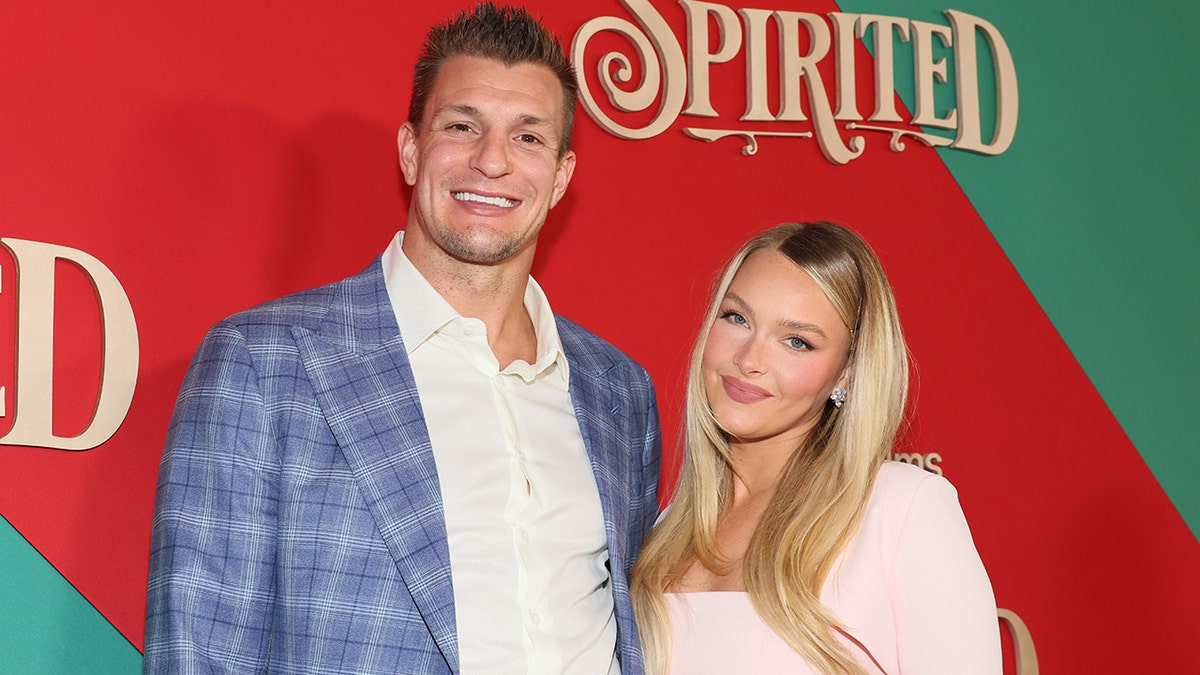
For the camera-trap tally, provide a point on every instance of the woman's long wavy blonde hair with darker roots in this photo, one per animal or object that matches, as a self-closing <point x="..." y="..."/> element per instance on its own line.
<point x="821" y="497"/>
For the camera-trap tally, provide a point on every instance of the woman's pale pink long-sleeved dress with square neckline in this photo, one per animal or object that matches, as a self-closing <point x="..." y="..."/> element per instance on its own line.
<point x="910" y="589"/>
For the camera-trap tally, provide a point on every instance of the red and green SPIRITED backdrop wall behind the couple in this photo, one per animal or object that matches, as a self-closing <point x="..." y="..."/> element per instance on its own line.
<point x="1015" y="165"/>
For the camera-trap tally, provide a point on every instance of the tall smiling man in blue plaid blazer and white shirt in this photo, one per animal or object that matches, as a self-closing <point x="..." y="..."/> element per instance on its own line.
<point x="418" y="469"/>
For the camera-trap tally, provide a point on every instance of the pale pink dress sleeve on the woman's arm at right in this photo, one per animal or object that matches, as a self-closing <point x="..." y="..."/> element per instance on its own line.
<point x="941" y="596"/>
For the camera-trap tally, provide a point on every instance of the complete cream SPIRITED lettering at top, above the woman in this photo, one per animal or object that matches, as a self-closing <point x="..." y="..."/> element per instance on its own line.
<point x="807" y="44"/>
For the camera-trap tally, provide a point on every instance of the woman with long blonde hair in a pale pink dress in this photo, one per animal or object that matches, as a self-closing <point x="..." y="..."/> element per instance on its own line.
<point x="791" y="546"/>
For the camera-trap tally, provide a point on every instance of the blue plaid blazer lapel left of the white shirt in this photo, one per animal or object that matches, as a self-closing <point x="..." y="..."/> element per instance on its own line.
<point x="369" y="398"/>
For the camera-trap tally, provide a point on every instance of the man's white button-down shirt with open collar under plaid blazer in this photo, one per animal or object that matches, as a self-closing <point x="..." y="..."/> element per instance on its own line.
<point x="529" y="553"/>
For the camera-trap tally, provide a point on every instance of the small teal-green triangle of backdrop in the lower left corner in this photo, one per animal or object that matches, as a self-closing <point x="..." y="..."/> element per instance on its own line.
<point x="46" y="626"/>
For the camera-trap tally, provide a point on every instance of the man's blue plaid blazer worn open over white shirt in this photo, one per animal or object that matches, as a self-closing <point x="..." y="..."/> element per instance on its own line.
<point x="299" y="524"/>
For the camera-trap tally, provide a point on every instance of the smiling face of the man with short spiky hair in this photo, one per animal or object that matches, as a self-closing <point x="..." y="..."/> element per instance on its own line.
<point x="485" y="170"/>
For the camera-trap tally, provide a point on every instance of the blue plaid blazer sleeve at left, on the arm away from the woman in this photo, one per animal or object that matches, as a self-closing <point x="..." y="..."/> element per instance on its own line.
<point x="213" y="543"/>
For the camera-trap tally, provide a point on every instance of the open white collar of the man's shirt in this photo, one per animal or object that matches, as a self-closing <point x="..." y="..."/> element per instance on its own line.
<point x="422" y="313"/>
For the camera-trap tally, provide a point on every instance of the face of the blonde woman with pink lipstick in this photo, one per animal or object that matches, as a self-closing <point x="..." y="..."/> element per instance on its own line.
<point x="775" y="354"/>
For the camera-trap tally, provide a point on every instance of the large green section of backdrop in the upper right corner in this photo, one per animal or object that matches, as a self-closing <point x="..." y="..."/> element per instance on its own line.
<point x="1095" y="202"/>
